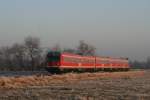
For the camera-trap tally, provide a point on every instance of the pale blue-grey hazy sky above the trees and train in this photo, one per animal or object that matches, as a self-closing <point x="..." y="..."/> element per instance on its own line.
<point x="115" y="27"/>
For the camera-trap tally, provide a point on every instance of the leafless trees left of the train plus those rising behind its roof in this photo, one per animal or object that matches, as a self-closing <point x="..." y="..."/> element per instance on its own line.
<point x="30" y="56"/>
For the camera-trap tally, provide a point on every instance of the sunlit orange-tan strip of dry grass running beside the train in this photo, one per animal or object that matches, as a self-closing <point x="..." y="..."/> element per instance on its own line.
<point x="27" y="81"/>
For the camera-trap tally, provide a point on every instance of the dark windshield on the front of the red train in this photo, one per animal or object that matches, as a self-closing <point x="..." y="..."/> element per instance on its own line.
<point x="53" y="56"/>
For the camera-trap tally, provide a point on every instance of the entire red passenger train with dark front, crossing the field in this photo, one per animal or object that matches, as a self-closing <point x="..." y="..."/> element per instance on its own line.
<point x="61" y="62"/>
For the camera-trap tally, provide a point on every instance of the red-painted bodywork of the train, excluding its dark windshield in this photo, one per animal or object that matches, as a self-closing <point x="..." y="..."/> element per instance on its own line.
<point x="73" y="61"/>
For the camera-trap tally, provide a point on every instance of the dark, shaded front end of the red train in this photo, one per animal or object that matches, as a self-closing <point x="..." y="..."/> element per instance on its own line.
<point x="53" y="61"/>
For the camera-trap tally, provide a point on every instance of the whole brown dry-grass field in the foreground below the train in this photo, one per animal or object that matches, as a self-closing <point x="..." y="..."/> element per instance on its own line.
<point x="132" y="85"/>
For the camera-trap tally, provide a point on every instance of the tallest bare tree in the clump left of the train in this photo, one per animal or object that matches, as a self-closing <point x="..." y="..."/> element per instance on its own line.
<point x="33" y="50"/>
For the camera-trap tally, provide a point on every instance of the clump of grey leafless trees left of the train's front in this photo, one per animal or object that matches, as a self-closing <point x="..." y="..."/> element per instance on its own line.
<point x="25" y="56"/>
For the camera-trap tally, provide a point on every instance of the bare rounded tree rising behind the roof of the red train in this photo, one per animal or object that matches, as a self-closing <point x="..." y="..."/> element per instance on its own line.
<point x="86" y="49"/>
